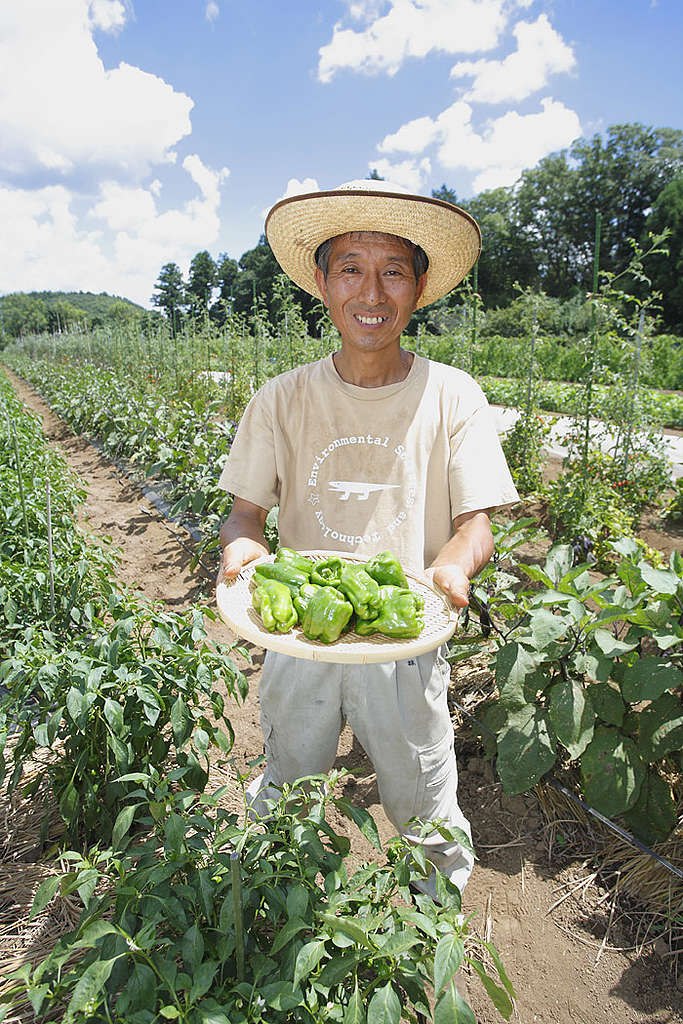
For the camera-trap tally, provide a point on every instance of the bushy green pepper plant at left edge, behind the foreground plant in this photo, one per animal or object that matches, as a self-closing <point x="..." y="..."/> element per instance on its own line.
<point x="104" y="714"/>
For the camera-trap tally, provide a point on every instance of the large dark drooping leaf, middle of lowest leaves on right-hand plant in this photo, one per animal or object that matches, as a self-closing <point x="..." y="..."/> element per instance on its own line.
<point x="613" y="772"/>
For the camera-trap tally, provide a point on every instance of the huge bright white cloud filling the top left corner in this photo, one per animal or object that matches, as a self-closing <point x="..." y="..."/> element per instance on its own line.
<point x="123" y="117"/>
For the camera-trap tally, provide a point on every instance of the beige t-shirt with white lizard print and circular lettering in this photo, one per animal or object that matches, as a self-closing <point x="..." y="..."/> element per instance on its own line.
<point x="365" y="471"/>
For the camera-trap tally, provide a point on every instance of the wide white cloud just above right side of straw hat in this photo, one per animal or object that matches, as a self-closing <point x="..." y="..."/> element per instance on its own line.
<point x="497" y="154"/>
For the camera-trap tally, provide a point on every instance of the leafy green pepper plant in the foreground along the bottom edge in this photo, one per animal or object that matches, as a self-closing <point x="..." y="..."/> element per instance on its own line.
<point x="218" y="922"/>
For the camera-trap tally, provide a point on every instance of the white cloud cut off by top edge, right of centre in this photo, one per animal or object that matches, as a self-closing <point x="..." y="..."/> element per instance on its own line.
<point x="411" y="29"/>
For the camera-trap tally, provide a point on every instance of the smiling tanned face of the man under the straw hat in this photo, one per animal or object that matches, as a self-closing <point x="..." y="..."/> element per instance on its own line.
<point x="371" y="290"/>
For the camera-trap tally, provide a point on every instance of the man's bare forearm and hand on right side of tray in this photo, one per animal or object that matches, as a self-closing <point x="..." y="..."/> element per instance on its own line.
<point x="468" y="551"/>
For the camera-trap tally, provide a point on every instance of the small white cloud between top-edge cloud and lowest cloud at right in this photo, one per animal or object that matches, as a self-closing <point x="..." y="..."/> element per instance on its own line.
<point x="541" y="53"/>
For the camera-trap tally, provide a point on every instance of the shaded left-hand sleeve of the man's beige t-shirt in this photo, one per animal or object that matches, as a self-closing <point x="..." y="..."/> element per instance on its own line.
<point x="251" y="471"/>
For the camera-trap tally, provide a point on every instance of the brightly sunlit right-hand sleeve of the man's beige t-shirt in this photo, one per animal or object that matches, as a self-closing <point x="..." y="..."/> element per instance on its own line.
<point x="479" y="475"/>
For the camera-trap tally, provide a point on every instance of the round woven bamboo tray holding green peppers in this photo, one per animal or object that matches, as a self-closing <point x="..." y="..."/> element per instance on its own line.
<point x="235" y="607"/>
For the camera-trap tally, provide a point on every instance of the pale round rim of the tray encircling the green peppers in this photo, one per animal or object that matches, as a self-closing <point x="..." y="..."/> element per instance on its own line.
<point x="350" y="652"/>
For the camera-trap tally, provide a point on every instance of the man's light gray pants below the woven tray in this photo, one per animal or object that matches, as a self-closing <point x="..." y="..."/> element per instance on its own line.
<point x="399" y="712"/>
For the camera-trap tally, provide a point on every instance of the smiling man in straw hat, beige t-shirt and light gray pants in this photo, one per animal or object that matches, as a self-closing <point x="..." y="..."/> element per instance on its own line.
<point x="371" y="449"/>
